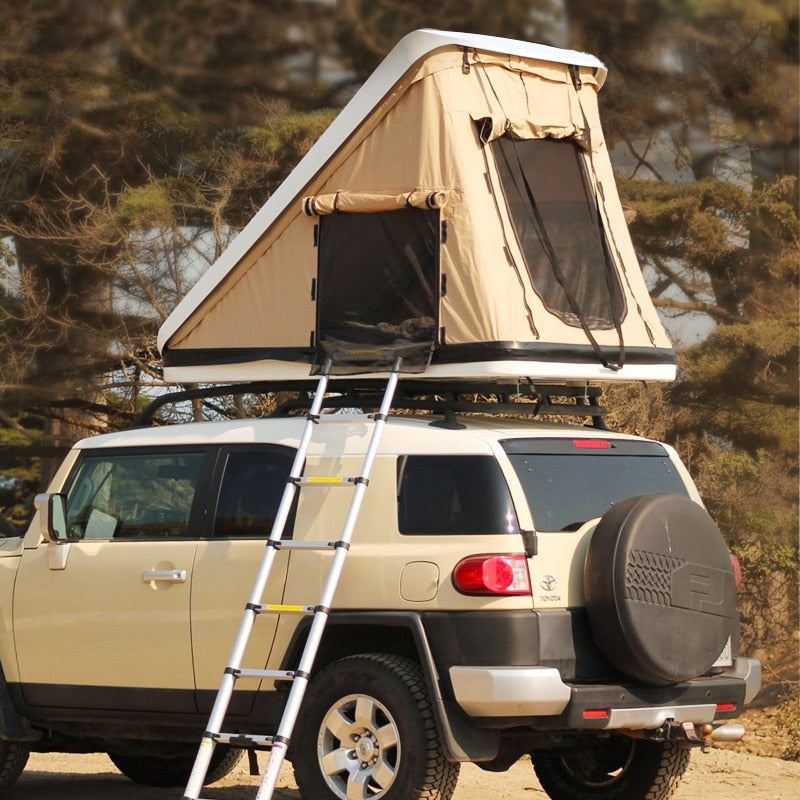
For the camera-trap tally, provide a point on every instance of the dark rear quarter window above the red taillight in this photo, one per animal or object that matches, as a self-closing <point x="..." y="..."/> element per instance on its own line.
<point x="453" y="494"/>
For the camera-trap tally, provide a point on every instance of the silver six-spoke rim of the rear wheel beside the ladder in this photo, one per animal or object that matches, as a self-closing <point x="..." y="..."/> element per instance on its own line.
<point x="358" y="748"/>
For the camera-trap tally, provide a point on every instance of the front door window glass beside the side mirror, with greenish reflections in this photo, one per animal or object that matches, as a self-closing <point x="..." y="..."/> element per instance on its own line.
<point x="133" y="495"/>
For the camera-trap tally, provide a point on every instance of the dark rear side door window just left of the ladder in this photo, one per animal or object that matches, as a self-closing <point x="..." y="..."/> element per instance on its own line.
<point x="250" y="493"/>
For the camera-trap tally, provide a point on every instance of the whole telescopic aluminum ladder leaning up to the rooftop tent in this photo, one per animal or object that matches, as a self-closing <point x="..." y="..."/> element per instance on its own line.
<point x="279" y="742"/>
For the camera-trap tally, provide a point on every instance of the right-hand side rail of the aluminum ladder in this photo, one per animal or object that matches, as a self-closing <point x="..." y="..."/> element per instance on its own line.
<point x="297" y="691"/>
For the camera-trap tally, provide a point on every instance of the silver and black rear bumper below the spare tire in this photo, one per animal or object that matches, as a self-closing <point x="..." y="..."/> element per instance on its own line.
<point x="505" y="697"/>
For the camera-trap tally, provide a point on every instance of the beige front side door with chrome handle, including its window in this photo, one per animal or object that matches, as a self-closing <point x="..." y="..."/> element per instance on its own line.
<point x="106" y="625"/>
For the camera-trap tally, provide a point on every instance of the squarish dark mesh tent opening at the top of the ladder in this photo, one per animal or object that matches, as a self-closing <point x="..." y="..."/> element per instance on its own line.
<point x="377" y="288"/>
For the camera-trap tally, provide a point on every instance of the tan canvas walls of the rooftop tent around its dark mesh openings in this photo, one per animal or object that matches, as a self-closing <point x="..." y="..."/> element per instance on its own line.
<point x="433" y="129"/>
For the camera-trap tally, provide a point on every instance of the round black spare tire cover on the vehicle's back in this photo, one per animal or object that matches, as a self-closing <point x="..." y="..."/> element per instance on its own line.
<point x="660" y="590"/>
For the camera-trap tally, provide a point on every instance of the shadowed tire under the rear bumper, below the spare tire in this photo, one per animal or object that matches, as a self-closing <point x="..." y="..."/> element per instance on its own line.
<point x="613" y="768"/>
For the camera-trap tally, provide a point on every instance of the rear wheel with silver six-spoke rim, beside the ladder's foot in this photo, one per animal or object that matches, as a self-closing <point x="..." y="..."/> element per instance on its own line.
<point x="367" y="730"/>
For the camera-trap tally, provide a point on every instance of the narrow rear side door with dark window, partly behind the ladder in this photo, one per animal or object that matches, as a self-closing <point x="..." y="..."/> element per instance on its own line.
<point x="250" y="481"/>
